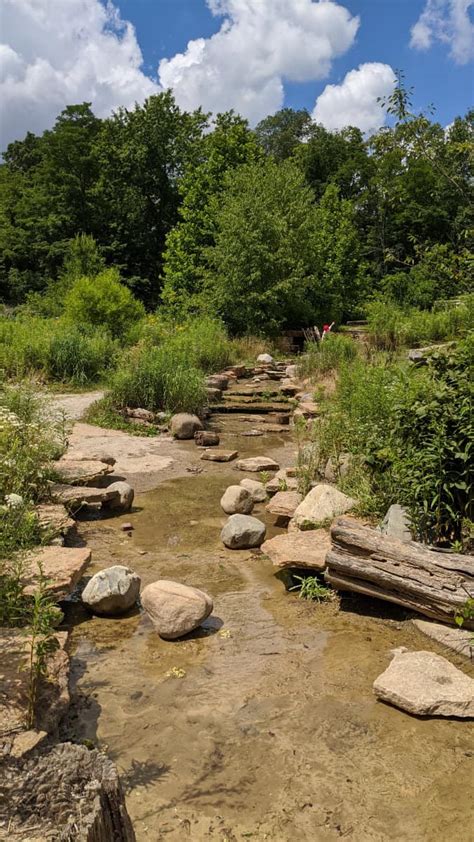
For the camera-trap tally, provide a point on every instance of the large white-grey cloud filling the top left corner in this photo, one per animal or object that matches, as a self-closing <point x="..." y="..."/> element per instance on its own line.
<point x="58" y="52"/>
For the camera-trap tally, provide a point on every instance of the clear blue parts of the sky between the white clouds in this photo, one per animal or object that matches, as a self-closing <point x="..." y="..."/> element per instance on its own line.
<point x="164" y="28"/>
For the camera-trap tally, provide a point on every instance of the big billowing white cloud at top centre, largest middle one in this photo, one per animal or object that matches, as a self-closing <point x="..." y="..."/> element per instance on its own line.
<point x="260" y="45"/>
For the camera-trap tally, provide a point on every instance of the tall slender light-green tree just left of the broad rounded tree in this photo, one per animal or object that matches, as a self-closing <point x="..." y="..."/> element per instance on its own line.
<point x="230" y="145"/>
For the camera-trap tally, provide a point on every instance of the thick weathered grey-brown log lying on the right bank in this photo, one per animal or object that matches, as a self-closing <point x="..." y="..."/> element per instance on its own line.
<point x="363" y="560"/>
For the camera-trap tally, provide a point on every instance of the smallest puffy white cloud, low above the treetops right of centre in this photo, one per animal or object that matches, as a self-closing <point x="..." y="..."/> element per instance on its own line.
<point x="354" y="101"/>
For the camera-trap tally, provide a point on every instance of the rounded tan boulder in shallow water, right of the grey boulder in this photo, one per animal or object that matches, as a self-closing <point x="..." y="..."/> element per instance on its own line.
<point x="175" y="609"/>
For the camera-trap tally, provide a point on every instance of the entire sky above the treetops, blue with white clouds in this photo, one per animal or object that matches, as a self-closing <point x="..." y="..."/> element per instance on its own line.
<point x="332" y="57"/>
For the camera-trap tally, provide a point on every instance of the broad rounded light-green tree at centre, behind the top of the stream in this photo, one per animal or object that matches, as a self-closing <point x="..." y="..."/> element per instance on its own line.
<point x="278" y="260"/>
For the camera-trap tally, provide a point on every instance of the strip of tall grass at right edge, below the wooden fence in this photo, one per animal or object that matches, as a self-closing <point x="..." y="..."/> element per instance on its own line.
<point x="391" y="327"/>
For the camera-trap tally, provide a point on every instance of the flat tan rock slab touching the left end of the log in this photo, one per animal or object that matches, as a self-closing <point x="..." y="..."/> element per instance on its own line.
<point x="299" y="549"/>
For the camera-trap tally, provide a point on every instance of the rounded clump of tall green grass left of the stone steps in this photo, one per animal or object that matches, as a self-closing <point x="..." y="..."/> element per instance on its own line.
<point x="158" y="378"/>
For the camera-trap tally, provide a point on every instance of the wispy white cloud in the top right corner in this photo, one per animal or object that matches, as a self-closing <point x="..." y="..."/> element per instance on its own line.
<point x="448" y="21"/>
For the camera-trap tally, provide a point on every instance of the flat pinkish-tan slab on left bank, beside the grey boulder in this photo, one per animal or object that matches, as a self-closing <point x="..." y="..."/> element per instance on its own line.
<point x="64" y="566"/>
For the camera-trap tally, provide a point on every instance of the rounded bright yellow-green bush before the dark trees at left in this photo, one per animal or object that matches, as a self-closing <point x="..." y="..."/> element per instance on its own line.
<point x="103" y="301"/>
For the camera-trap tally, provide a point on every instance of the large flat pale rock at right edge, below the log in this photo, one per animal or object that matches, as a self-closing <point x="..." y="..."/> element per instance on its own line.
<point x="426" y="684"/>
